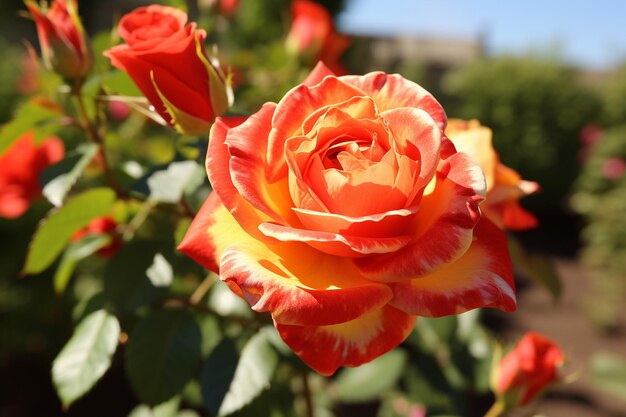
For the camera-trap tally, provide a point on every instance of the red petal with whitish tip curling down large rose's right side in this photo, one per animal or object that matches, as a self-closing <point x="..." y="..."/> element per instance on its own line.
<point x="443" y="231"/>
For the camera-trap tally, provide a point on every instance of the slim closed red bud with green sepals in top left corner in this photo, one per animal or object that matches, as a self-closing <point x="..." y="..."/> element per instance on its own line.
<point x="64" y="45"/>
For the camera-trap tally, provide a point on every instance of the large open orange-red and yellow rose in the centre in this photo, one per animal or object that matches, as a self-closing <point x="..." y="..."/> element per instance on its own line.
<point x="345" y="212"/>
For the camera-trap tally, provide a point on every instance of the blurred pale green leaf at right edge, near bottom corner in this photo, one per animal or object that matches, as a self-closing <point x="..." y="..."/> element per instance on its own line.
<point x="608" y="373"/>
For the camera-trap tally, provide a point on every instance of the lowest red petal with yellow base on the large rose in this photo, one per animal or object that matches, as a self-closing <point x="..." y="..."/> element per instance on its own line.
<point x="326" y="348"/>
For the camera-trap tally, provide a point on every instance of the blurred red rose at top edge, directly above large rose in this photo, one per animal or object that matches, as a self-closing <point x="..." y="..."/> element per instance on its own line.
<point x="313" y="35"/>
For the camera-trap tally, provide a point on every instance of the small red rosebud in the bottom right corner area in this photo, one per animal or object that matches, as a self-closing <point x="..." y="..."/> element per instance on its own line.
<point x="528" y="369"/>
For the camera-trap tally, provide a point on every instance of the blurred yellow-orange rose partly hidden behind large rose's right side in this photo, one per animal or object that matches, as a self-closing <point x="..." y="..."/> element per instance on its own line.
<point x="504" y="186"/>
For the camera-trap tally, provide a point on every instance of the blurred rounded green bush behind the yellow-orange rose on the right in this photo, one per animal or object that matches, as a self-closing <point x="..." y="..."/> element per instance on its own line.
<point x="536" y="110"/>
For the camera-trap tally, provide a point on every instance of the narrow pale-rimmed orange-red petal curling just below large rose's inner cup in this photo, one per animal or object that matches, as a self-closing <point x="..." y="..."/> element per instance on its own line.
<point x="335" y="243"/>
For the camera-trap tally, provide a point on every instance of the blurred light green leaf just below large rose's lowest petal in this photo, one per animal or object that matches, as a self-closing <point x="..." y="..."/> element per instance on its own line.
<point x="369" y="381"/>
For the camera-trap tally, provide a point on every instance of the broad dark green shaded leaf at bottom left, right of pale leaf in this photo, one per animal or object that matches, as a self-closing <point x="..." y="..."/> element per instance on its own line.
<point x="162" y="356"/>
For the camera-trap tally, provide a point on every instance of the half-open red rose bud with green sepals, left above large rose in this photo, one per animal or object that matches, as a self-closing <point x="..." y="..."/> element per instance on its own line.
<point x="166" y="59"/>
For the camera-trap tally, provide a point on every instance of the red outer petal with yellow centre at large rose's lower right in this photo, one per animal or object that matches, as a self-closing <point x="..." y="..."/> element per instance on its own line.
<point x="482" y="277"/>
